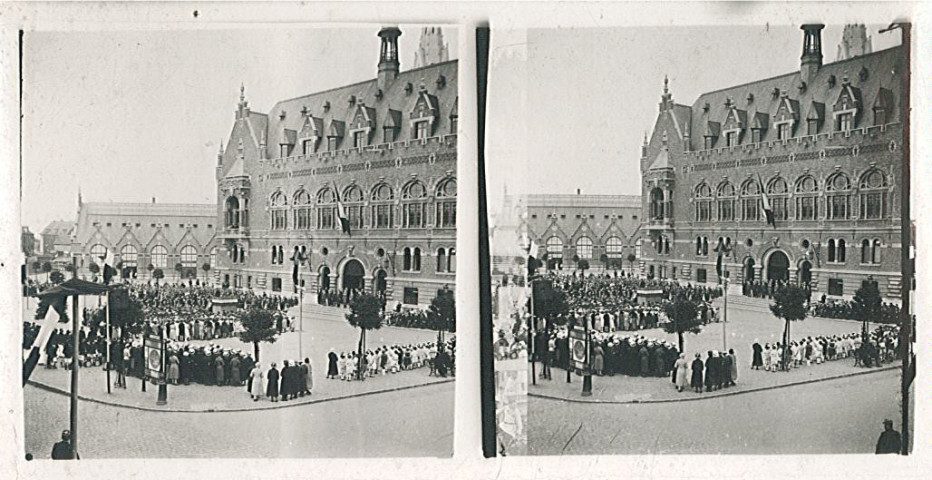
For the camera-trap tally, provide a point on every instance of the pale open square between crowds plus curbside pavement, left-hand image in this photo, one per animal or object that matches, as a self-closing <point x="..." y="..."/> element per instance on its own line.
<point x="323" y="328"/>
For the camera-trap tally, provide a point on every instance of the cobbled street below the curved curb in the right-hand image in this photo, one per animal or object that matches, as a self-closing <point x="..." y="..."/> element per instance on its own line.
<point x="836" y="416"/>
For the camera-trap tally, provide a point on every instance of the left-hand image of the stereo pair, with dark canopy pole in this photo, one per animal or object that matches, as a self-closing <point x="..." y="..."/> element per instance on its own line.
<point x="252" y="231"/>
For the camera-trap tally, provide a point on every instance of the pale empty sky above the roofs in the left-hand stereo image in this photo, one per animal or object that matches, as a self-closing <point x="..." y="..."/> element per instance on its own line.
<point x="131" y="115"/>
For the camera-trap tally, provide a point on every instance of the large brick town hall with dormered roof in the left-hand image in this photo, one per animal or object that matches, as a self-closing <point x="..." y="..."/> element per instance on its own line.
<point x="385" y="147"/>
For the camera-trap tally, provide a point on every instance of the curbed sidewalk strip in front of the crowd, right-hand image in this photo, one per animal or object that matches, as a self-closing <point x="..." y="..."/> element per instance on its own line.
<point x="625" y="389"/>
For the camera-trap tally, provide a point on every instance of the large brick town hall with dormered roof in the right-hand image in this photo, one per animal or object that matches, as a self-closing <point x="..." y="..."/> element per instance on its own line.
<point x="826" y="142"/>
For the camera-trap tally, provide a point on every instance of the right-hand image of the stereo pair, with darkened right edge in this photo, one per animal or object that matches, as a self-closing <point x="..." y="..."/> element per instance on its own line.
<point x="705" y="237"/>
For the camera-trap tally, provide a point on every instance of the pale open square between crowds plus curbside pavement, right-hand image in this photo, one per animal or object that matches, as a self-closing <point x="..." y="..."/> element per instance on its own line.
<point x="745" y="324"/>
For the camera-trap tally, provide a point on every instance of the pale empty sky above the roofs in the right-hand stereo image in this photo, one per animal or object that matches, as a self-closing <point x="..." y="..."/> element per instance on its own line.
<point x="592" y="93"/>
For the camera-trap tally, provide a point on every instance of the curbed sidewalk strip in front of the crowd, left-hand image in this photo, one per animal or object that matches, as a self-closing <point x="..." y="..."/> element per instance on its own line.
<point x="92" y="386"/>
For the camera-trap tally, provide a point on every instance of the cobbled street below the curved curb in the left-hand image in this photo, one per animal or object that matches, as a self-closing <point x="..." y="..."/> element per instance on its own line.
<point x="382" y="425"/>
